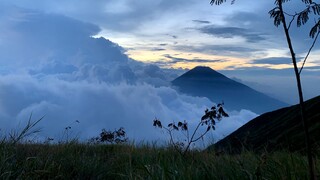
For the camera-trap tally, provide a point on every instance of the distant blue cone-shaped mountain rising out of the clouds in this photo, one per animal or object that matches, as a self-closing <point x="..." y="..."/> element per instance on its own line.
<point x="204" y="81"/>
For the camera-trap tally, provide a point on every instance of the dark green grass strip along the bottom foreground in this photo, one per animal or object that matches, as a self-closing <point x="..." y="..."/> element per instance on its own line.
<point x="82" y="161"/>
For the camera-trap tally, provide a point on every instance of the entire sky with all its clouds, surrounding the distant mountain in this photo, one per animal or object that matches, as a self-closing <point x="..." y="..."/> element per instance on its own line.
<point x="110" y="63"/>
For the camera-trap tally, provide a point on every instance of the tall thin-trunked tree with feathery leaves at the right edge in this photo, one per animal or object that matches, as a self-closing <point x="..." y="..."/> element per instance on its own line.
<point x="280" y="17"/>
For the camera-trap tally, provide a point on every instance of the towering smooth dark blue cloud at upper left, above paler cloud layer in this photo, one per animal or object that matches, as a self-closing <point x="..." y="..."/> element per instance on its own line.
<point x="52" y="37"/>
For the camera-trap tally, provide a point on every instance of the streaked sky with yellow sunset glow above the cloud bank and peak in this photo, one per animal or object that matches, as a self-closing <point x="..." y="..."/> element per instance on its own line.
<point x="187" y="33"/>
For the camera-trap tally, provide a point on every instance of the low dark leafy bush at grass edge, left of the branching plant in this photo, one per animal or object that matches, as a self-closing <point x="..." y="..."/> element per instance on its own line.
<point x="110" y="137"/>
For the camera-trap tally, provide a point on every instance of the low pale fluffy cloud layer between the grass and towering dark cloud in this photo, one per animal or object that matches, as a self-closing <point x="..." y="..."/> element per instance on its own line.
<point x="102" y="105"/>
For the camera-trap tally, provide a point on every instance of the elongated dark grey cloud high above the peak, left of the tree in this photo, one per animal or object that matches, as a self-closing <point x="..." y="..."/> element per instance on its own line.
<point x="230" y="32"/>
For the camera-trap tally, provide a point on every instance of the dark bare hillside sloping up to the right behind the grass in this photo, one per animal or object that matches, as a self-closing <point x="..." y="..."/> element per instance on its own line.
<point x="280" y="129"/>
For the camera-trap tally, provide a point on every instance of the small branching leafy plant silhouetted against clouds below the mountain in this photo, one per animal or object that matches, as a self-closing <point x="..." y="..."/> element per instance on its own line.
<point x="216" y="113"/>
